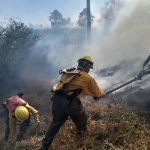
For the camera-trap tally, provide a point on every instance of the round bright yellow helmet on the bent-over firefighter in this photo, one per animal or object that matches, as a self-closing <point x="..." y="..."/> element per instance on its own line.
<point x="21" y="113"/>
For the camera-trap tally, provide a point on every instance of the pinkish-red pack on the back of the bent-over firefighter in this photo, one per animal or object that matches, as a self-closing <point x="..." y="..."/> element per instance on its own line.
<point x="14" y="101"/>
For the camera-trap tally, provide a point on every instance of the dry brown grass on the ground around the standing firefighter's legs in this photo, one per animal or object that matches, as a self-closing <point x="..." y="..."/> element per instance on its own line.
<point x="110" y="127"/>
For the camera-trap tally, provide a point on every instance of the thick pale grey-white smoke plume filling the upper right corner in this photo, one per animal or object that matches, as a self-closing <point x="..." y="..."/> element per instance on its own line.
<point x="128" y="38"/>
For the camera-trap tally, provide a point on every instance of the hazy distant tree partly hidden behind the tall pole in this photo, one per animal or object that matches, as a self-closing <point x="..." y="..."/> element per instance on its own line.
<point x="82" y="21"/>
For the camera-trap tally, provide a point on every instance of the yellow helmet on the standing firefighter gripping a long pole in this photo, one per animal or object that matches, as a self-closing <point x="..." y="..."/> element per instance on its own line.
<point x="86" y="60"/>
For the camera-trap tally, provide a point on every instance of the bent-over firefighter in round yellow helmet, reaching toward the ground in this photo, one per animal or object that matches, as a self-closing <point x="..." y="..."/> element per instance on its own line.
<point x="19" y="113"/>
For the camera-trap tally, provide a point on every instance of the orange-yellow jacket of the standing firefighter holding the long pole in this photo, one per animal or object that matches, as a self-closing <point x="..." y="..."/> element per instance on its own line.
<point x="85" y="82"/>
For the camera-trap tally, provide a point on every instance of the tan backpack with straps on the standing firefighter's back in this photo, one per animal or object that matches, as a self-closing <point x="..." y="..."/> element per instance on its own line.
<point x="67" y="75"/>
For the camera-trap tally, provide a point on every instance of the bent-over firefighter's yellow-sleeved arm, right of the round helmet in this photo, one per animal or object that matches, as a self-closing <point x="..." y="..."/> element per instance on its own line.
<point x="34" y="113"/>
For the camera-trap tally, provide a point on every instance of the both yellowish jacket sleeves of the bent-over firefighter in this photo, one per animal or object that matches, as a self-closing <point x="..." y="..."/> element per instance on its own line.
<point x="13" y="120"/>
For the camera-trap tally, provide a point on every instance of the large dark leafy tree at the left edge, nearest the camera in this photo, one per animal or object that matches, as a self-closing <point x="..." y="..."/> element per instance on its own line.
<point x="15" y="41"/>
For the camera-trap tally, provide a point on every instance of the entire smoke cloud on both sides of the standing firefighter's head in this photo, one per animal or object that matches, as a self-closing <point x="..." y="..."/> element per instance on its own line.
<point x="125" y="44"/>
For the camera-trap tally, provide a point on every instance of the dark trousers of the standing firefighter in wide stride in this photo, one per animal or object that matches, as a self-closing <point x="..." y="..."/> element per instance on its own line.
<point x="62" y="108"/>
